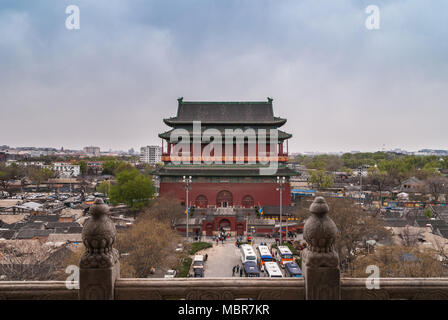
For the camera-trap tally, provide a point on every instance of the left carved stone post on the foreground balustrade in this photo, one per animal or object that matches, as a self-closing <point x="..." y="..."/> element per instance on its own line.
<point x="99" y="265"/>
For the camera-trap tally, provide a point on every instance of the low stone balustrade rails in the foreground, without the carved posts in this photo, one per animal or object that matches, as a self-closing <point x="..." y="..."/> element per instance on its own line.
<point x="225" y="288"/>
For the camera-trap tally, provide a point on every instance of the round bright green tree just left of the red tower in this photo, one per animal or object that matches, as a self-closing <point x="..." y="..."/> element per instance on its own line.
<point x="133" y="189"/>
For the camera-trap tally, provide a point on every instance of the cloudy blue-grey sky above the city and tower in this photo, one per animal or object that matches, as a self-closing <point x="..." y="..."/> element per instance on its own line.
<point x="110" y="83"/>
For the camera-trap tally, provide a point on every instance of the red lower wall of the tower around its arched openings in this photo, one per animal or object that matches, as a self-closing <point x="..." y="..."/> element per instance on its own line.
<point x="263" y="193"/>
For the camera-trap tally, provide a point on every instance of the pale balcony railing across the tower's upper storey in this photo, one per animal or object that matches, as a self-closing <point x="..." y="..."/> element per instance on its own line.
<point x="233" y="159"/>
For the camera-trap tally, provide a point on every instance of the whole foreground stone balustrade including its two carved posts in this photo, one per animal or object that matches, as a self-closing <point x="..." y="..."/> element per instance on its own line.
<point x="99" y="274"/>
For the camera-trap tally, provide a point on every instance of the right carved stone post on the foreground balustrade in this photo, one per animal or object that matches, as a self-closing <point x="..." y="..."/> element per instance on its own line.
<point x="320" y="261"/>
